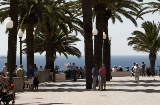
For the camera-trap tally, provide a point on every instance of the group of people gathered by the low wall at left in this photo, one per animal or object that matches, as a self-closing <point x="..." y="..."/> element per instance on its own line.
<point x="32" y="75"/>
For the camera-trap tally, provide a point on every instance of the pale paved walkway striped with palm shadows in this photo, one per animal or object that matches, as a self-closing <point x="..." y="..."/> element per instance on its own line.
<point x="119" y="91"/>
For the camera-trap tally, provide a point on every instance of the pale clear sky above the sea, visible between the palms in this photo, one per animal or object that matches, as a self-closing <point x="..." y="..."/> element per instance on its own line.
<point x="119" y="32"/>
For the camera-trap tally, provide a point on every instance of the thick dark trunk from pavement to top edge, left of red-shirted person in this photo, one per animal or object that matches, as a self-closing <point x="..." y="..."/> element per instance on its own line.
<point x="87" y="25"/>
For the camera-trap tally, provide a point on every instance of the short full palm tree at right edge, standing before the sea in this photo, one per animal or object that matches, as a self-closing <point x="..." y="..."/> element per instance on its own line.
<point x="148" y="41"/>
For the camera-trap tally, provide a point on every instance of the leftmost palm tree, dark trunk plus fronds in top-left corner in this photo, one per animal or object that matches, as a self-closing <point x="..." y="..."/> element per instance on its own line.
<point x="12" y="11"/>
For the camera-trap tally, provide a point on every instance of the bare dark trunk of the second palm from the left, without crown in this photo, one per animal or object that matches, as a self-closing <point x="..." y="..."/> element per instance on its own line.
<point x="30" y="44"/>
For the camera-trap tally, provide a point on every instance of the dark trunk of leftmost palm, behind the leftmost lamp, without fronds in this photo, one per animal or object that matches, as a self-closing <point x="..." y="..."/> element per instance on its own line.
<point x="13" y="36"/>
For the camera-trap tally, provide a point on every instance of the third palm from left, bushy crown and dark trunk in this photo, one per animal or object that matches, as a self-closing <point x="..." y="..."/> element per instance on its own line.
<point x="66" y="18"/>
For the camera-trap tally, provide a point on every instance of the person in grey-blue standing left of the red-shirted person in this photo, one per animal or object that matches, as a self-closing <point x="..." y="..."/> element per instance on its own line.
<point x="94" y="76"/>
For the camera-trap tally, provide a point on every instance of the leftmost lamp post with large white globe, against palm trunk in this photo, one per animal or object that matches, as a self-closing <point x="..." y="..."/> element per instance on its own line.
<point x="9" y="25"/>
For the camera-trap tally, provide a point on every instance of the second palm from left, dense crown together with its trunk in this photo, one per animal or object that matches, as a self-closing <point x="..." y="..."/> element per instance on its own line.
<point x="32" y="13"/>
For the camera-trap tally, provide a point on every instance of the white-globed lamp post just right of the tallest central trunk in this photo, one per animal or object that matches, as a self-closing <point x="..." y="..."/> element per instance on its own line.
<point x="95" y="32"/>
